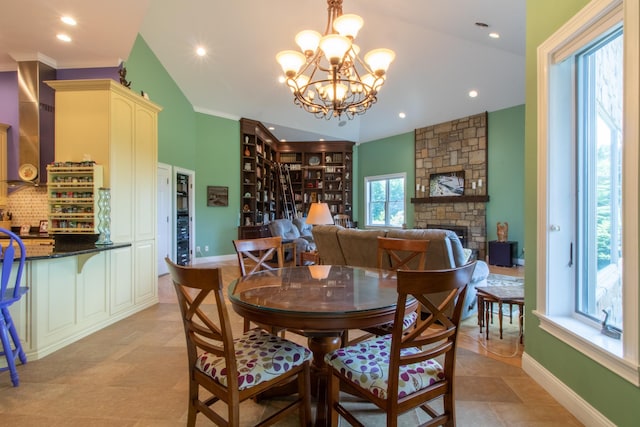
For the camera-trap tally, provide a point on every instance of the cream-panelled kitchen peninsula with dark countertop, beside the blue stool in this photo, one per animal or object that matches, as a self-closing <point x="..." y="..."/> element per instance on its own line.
<point x="75" y="288"/>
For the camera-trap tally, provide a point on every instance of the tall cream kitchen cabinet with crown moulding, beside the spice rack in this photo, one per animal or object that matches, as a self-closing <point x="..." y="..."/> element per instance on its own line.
<point x="103" y="121"/>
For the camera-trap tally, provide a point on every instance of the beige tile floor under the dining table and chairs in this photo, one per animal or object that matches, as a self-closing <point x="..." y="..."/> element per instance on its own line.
<point x="133" y="373"/>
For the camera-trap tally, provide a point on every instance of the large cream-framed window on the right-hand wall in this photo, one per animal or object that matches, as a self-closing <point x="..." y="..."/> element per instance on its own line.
<point x="587" y="185"/>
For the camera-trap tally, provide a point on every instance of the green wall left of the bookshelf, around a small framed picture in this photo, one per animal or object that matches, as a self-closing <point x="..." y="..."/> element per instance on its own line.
<point x="205" y="144"/>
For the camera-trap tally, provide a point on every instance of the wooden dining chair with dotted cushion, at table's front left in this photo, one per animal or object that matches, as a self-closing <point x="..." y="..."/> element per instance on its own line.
<point x="233" y="370"/>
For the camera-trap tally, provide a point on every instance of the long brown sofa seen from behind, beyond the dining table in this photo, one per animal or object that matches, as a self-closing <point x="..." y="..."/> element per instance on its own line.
<point x="348" y="246"/>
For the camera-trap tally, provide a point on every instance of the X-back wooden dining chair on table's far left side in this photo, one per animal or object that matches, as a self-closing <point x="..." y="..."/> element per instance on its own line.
<point x="254" y="255"/>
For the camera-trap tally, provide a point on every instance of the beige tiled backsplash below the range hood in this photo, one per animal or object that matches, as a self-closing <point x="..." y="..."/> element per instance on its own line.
<point x="28" y="205"/>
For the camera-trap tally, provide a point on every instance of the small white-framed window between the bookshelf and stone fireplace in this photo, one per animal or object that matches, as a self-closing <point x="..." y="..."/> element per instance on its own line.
<point x="384" y="200"/>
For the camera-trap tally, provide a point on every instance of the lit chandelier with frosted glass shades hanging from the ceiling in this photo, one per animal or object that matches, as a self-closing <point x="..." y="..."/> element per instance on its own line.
<point x="328" y="79"/>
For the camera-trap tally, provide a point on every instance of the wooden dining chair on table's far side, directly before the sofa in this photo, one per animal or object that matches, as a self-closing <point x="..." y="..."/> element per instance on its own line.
<point x="398" y="254"/>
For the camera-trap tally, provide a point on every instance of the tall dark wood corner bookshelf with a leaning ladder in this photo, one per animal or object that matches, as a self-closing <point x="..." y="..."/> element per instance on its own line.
<point x="318" y="171"/>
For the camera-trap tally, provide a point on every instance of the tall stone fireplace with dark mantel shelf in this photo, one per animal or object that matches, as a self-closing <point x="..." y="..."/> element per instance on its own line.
<point x="453" y="147"/>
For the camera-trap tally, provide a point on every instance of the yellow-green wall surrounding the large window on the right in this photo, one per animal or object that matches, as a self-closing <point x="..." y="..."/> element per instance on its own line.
<point x="615" y="398"/>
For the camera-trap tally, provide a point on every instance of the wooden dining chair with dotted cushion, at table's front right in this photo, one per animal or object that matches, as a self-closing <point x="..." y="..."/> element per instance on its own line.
<point x="405" y="370"/>
